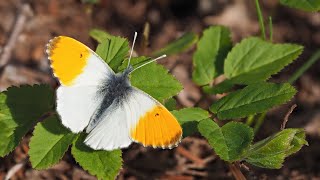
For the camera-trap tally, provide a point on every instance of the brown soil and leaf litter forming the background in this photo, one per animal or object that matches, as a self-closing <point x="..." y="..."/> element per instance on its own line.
<point x="193" y="159"/>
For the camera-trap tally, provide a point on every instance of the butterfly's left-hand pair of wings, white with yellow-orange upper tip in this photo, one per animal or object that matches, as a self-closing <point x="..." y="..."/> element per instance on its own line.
<point x="80" y="72"/>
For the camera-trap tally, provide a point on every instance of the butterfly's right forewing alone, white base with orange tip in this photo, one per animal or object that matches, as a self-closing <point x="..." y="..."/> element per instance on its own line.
<point x="152" y="124"/>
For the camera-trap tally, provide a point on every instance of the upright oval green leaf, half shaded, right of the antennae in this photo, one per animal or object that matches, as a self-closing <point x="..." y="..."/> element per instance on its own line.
<point x="212" y="49"/>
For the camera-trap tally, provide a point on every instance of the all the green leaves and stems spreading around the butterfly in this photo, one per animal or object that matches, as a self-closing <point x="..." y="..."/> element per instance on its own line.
<point x="250" y="64"/>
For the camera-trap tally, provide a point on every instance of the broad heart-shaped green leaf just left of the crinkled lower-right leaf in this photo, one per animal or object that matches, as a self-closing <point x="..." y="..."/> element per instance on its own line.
<point x="229" y="142"/>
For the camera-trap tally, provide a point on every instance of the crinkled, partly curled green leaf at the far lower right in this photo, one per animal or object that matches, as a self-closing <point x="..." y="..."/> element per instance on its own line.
<point x="271" y="152"/>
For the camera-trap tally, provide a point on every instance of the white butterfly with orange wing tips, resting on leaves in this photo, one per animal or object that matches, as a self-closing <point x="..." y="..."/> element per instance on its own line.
<point x="92" y="97"/>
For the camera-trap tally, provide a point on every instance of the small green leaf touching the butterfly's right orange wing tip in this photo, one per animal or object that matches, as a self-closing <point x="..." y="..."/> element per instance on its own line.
<point x="190" y="114"/>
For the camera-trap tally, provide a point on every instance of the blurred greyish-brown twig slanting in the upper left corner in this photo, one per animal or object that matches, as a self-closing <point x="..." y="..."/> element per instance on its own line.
<point x="25" y="12"/>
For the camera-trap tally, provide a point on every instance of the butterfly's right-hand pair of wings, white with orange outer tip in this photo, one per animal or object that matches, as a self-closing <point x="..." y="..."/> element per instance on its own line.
<point x="139" y="118"/>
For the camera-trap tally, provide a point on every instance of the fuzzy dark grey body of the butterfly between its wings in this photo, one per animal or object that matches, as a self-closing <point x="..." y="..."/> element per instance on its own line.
<point x="114" y="89"/>
